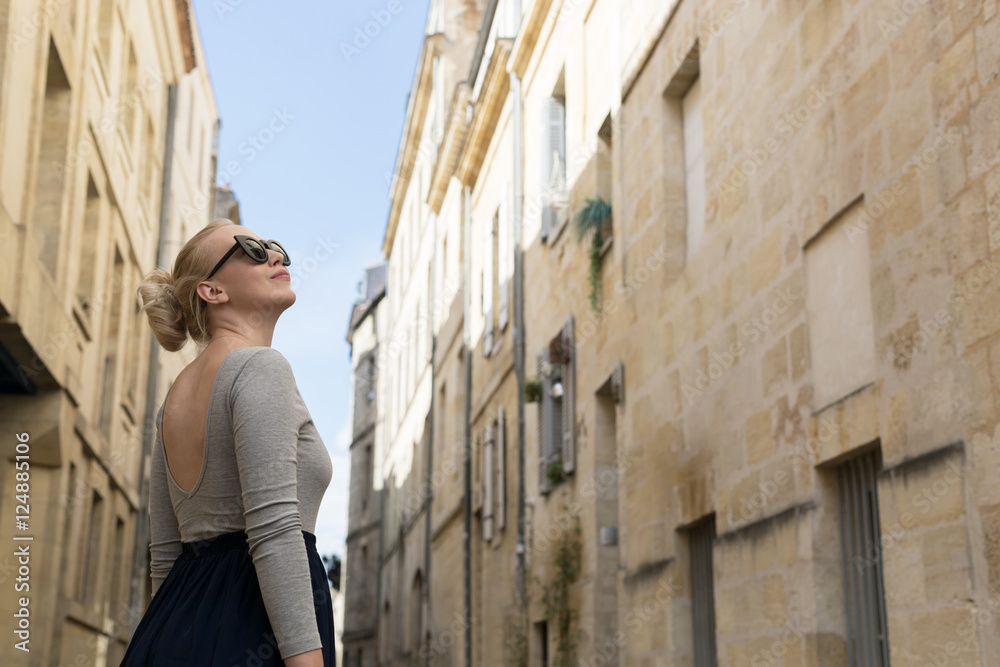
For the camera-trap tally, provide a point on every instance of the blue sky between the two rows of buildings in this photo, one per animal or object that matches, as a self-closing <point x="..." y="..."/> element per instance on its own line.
<point x="318" y="184"/>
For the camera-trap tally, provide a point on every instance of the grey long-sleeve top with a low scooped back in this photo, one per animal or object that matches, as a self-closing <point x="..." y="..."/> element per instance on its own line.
<point x="265" y="471"/>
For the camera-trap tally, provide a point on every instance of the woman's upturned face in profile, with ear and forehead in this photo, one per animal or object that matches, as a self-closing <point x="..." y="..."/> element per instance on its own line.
<point x="249" y="285"/>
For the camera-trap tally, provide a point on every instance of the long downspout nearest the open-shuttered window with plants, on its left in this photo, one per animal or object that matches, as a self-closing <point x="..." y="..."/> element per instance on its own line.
<point x="517" y="118"/>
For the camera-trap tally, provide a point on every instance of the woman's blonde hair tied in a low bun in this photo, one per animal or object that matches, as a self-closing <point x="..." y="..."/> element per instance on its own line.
<point x="170" y="300"/>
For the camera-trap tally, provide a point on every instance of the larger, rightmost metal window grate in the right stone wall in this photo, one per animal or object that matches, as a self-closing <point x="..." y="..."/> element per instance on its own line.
<point x="864" y="591"/>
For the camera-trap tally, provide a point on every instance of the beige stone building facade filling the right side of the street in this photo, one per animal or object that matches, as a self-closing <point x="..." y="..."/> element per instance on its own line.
<point x="768" y="391"/>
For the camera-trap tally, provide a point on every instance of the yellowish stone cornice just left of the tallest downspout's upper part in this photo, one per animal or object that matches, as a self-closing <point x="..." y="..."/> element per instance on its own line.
<point x="492" y="95"/>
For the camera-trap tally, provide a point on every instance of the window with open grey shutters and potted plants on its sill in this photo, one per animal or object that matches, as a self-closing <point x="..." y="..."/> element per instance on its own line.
<point x="557" y="408"/>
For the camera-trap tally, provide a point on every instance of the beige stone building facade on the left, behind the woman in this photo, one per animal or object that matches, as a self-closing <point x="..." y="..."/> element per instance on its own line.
<point x="104" y="106"/>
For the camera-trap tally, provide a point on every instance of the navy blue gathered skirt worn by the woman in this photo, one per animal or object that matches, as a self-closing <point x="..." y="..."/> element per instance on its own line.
<point x="209" y="611"/>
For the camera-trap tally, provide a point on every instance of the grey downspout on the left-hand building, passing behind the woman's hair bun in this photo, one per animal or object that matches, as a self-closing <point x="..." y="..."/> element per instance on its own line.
<point x="140" y="550"/>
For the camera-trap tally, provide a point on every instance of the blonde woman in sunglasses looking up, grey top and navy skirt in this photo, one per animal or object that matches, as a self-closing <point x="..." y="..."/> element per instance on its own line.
<point x="238" y="471"/>
